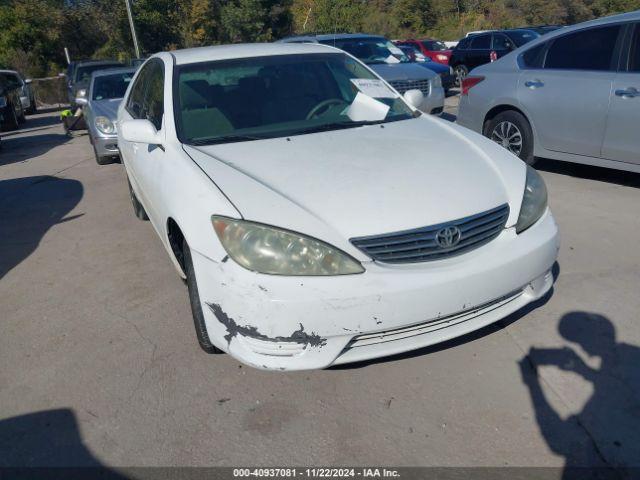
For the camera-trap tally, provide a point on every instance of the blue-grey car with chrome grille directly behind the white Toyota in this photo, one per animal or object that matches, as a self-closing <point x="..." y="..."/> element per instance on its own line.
<point x="388" y="61"/>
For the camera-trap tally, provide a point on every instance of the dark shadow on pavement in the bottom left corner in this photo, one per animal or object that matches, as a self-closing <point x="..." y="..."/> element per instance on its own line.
<point x="48" y="444"/>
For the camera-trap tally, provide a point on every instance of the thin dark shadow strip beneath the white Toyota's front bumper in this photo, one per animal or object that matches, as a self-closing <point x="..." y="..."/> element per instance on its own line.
<point x="455" y="342"/>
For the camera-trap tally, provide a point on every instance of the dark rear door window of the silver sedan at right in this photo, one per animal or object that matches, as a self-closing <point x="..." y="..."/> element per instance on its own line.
<point x="590" y="49"/>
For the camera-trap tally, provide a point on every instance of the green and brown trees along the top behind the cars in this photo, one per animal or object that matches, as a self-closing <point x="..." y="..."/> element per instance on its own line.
<point x="34" y="33"/>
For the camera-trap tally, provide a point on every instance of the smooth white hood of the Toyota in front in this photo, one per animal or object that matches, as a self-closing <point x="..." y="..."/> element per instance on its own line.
<point x="367" y="180"/>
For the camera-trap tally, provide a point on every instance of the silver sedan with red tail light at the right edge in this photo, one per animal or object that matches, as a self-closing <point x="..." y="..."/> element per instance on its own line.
<point x="572" y="95"/>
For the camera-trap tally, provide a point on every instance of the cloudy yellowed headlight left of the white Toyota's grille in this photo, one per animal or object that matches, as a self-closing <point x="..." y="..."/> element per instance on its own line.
<point x="275" y="251"/>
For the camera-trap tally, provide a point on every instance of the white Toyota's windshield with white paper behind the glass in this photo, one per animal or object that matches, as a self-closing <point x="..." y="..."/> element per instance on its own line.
<point x="279" y="96"/>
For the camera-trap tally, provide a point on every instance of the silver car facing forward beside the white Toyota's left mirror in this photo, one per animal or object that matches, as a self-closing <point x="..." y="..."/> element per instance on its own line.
<point x="100" y="109"/>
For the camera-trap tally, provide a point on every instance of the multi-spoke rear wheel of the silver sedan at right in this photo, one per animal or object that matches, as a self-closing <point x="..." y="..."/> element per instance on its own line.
<point x="512" y="131"/>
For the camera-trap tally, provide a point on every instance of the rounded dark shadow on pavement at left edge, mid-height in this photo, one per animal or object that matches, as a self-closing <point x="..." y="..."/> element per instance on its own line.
<point x="29" y="207"/>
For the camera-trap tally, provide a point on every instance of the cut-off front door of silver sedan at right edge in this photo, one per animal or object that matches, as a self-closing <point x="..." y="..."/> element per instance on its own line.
<point x="622" y="141"/>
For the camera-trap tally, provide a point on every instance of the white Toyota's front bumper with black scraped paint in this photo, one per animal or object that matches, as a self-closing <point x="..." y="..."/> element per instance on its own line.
<point x="295" y="323"/>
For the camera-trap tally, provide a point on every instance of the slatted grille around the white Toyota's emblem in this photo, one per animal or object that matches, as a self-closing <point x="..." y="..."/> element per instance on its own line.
<point x="422" y="245"/>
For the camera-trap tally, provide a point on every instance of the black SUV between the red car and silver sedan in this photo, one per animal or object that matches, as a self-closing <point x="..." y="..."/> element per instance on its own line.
<point x="476" y="50"/>
